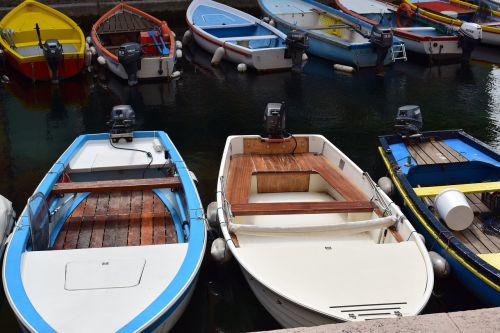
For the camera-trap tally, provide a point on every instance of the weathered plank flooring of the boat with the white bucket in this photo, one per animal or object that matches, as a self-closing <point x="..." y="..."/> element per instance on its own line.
<point x="478" y="237"/>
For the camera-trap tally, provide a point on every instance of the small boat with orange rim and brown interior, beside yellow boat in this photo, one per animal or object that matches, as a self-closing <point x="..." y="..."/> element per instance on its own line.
<point x="134" y="44"/>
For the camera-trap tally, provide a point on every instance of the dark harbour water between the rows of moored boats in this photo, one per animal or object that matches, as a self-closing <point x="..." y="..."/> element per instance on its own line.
<point x="199" y="110"/>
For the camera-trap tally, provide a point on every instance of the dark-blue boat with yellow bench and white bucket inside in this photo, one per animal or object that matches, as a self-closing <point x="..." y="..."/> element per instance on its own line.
<point x="434" y="173"/>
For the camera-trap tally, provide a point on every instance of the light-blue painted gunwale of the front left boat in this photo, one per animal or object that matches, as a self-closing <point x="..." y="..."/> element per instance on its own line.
<point x="29" y="317"/>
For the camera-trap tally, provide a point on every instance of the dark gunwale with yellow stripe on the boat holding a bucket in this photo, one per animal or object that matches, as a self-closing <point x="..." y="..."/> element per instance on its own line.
<point x="438" y="230"/>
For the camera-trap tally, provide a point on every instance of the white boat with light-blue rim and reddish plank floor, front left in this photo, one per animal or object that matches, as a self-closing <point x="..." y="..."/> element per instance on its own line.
<point x="111" y="240"/>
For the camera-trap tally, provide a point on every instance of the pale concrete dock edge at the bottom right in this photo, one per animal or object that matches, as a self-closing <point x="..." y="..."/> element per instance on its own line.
<point x="481" y="321"/>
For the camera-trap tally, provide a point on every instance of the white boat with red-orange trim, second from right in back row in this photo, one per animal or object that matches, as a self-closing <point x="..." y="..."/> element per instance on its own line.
<point x="420" y="34"/>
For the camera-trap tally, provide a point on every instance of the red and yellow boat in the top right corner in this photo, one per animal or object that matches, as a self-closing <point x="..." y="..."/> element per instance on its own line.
<point x="455" y="13"/>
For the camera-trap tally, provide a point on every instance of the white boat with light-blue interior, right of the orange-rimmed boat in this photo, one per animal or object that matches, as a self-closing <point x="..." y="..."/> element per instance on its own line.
<point x="239" y="37"/>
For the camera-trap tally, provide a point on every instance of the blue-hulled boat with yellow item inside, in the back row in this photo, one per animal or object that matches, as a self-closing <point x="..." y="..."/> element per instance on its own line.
<point x="335" y="35"/>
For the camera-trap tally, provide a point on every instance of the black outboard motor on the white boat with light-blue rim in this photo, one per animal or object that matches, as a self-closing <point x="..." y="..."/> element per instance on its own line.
<point x="122" y="123"/>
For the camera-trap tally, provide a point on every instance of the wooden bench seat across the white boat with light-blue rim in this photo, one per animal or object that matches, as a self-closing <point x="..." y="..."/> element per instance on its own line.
<point x="117" y="185"/>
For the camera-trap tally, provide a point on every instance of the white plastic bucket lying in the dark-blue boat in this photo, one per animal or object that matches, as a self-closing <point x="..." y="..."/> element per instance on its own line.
<point x="454" y="209"/>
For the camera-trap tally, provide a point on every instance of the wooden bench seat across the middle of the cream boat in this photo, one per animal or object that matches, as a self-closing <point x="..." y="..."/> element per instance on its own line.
<point x="283" y="208"/>
